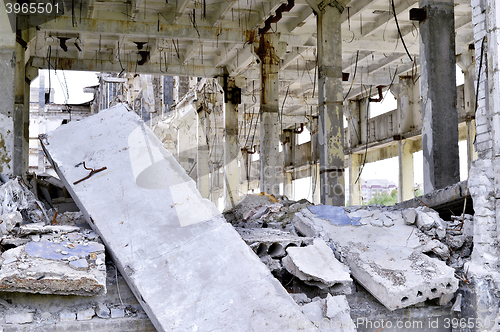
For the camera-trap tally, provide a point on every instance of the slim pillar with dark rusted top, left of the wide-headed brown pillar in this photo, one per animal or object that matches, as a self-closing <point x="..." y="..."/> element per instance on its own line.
<point x="232" y="190"/>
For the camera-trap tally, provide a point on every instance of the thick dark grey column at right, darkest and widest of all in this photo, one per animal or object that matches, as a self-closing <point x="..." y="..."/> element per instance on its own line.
<point x="439" y="95"/>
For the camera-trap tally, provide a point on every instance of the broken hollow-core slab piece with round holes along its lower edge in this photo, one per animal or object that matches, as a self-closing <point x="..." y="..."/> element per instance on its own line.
<point x="400" y="277"/>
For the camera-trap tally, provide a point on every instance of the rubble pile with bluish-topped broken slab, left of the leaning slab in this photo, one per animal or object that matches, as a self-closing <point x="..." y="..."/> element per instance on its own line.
<point x="40" y="254"/>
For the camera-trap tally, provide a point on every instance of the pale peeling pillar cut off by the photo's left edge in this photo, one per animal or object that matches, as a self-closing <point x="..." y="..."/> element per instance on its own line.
<point x="7" y="93"/>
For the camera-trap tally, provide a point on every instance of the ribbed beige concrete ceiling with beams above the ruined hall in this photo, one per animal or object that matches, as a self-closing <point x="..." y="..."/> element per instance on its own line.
<point x="202" y="37"/>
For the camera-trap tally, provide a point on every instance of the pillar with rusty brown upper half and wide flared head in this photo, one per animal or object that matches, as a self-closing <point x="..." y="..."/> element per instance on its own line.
<point x="269" y="51"/>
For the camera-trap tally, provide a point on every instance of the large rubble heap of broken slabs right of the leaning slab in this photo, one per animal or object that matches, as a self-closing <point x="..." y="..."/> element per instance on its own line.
<point x="403" y="257"/>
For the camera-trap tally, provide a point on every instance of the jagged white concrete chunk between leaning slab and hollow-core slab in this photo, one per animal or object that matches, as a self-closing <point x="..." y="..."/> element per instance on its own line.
<point x="316" y="265"/>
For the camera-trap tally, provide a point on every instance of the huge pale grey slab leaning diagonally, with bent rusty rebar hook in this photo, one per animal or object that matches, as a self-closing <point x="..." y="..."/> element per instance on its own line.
<point x="189" y="269"/>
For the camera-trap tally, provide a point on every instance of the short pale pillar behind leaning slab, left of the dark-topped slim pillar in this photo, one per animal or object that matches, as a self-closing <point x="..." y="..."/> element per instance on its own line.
<point x="203" y="156"/>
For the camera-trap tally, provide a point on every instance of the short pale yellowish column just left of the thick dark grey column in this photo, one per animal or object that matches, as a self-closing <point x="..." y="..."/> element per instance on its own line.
<point x="405" y="158"/>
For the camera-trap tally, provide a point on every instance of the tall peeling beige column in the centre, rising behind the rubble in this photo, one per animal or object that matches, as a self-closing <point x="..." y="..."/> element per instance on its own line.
<point x="331" y="128"/>
